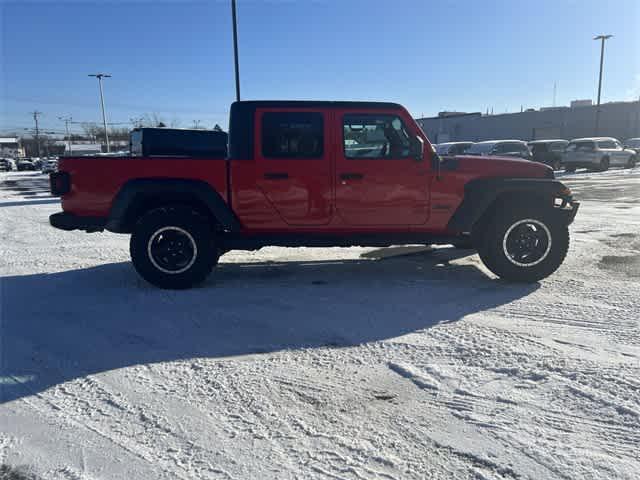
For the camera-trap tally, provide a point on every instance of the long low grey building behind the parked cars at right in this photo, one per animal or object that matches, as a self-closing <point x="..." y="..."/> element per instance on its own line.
<point x="617" y="119"/>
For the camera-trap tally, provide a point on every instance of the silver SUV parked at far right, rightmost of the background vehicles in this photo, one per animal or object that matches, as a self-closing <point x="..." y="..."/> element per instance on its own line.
<point x="597" y="153"/>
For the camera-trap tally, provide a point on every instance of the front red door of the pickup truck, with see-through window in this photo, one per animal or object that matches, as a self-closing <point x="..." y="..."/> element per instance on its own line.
<point x="377" y="181"/>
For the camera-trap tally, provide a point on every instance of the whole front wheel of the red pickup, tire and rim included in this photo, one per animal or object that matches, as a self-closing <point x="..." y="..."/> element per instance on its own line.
<point x="524" y="245"/>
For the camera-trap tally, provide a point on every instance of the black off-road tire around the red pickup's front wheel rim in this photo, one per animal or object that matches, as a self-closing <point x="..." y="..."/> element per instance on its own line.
<point x="493" y="252"/>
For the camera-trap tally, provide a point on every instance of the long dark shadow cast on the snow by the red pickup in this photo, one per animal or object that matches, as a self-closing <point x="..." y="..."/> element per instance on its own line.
<point x="61" y="326"/>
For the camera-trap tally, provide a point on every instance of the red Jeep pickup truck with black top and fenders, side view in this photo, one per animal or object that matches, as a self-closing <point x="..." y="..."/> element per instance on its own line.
<point x="303" y="173"/>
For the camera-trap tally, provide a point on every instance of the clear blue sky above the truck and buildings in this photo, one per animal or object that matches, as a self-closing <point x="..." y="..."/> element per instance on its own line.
<point x="174" y="57"/>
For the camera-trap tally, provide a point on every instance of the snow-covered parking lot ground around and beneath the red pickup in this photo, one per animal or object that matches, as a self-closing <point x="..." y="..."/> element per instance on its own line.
<point x="347" y="363"/>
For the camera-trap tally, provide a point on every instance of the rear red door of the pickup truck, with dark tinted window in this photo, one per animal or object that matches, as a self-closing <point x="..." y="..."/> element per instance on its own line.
<point x="294" y="163"/>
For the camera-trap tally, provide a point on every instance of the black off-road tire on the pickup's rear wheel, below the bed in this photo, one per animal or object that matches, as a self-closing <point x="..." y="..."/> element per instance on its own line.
<point x="185" y="221"/>
